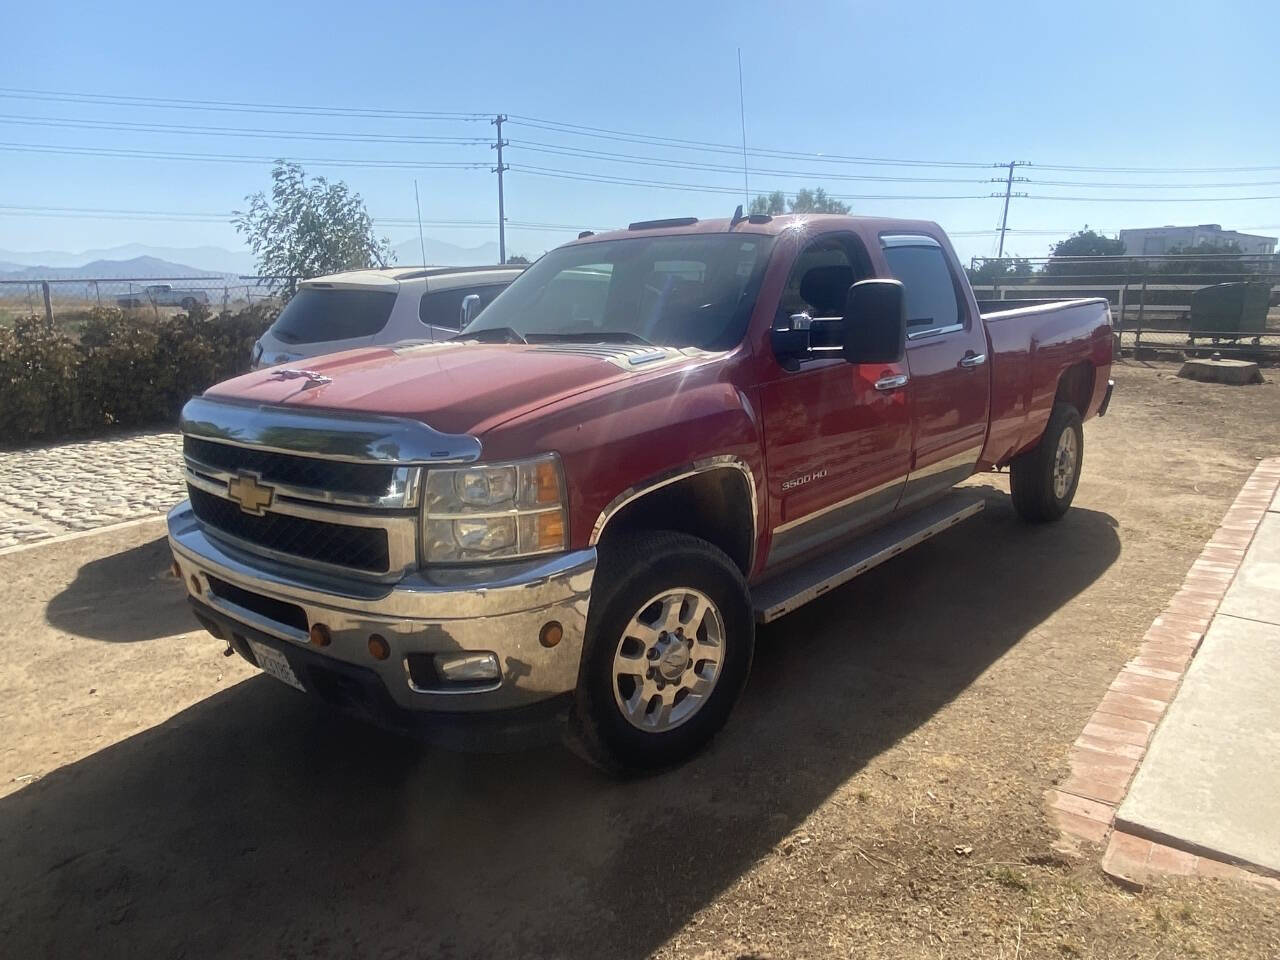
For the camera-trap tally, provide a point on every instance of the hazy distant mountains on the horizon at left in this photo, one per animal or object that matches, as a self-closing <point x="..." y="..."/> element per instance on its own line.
<point x="140" y="260"/>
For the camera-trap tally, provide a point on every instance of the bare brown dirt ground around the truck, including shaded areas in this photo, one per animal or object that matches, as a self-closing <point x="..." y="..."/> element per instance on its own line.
<point x="877" y="794"/>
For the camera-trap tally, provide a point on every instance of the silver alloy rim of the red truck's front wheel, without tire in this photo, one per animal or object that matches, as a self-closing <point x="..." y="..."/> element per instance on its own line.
<point x="669" y="660"/>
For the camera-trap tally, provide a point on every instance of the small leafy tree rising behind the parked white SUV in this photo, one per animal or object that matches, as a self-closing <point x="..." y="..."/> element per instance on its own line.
<point x="310" y="228"/>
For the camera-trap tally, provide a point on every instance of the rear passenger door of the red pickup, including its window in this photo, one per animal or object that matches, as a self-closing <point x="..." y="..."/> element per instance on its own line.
<point x="947" y="358"/>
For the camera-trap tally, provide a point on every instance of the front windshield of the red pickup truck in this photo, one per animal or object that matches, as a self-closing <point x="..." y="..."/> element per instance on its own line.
<point x="687" y="291"/>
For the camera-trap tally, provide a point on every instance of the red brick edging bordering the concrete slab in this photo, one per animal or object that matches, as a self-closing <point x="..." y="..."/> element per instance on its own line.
<point x="1107" y="755"/>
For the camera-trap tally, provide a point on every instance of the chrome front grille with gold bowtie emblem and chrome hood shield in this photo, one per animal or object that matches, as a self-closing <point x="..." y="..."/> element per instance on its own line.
<point x="326" y="490"/>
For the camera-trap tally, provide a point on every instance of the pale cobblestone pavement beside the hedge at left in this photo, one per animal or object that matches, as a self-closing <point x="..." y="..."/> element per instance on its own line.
<point x="52" y="491"/>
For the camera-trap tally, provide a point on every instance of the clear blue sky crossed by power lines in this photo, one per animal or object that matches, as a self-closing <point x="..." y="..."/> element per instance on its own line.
<point x="1122" y="85"/>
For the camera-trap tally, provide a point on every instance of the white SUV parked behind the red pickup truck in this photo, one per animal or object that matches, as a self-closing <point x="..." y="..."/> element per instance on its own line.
<point x="368" y="308"/>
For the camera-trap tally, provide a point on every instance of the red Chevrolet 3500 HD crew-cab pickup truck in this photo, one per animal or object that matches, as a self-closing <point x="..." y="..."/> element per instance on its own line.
<point x="651" y="442"/>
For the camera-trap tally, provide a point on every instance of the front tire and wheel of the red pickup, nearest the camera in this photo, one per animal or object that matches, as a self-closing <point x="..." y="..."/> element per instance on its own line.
<point x="624" y="723"/>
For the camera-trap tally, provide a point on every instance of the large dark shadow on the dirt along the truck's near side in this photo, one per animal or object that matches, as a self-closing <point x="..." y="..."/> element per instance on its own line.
<point x="257" y="825"/>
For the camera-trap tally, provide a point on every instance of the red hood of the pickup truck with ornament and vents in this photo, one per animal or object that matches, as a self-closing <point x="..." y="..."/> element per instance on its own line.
<point x="452" y="387"/>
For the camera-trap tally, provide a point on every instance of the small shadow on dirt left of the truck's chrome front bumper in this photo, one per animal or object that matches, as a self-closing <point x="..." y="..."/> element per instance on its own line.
<point x="103" y="602"/>
